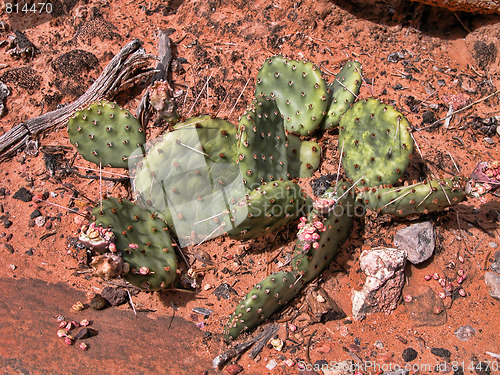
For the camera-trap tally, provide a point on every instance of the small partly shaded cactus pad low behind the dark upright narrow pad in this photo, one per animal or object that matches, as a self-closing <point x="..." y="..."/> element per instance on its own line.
<point x="303" y="157"/>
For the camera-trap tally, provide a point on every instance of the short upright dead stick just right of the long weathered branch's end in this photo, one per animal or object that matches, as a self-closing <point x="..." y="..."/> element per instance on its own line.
<point x="144" y="111"/>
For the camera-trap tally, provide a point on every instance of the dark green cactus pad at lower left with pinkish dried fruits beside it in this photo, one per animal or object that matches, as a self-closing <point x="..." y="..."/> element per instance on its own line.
<point x="143" y="240"/>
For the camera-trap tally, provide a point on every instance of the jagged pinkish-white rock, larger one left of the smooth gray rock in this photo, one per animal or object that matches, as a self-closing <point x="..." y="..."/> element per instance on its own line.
<point x="384" y="269"/>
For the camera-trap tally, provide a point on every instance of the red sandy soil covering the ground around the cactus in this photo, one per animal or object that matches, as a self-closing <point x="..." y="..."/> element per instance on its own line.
<point x="230" y="41"/>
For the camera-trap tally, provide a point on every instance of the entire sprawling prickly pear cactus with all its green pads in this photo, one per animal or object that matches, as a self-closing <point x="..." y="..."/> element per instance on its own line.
<point x="207" y="177"/>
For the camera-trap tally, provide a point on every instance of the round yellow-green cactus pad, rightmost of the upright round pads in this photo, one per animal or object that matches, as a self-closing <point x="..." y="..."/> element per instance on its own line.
<point x="376" y="141"/>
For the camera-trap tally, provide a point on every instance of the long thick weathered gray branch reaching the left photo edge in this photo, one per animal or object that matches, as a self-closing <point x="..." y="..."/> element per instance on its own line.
<point x="121" y="68"/>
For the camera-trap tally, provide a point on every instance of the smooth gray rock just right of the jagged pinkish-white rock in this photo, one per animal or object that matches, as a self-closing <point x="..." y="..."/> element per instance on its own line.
<point x="417" y="240"/>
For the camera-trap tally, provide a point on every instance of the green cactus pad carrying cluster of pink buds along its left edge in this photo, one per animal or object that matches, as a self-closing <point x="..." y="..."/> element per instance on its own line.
<point x="325" y="229"/>
